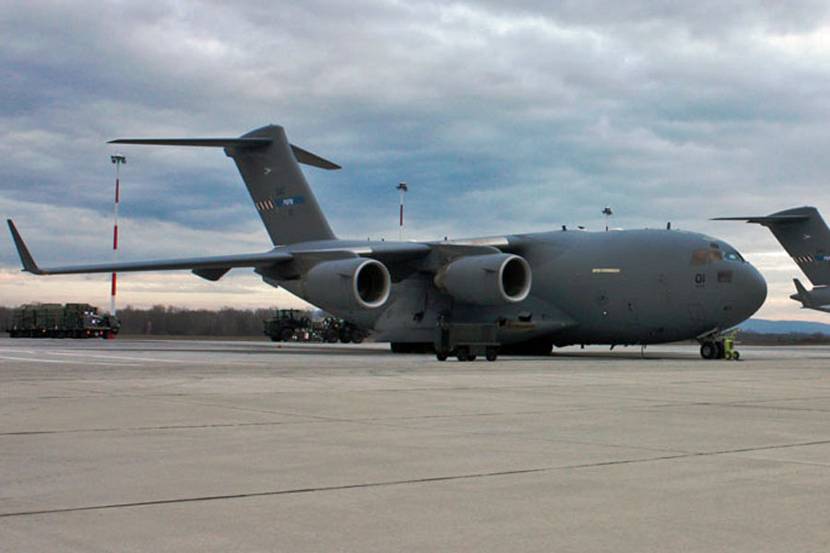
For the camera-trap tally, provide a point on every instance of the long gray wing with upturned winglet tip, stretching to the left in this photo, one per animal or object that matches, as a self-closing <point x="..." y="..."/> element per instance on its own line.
<point x="211" y="268"/>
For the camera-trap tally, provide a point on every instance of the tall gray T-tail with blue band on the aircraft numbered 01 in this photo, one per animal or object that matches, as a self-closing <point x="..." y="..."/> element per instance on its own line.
<point x="269" y="166"/>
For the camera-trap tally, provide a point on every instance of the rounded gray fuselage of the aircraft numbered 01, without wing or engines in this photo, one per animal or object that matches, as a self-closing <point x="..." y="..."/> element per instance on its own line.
<point x="616" y="287"/>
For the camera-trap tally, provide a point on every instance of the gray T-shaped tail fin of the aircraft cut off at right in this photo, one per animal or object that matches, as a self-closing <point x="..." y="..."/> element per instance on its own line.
<point x="804" y="235"/>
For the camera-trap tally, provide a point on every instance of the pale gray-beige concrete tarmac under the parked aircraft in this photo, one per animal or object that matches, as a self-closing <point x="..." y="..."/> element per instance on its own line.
<point x="137" y="445"/>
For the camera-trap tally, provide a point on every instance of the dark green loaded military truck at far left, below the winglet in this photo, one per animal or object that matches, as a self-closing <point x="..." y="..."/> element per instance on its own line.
<point x="54" y="320"/>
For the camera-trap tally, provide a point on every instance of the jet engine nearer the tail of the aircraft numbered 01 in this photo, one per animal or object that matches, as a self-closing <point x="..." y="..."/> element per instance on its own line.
<point x="354" y="283"/>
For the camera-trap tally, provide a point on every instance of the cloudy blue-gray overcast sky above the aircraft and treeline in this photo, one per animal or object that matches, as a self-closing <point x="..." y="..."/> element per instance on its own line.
<point x="501" y="119"/>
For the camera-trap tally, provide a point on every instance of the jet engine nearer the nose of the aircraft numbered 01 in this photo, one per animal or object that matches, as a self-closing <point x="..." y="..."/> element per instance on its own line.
<point x="490" y="279"/>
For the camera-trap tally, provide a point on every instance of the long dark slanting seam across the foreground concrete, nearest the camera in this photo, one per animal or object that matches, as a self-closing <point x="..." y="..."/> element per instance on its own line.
<point x="389" y="483"/>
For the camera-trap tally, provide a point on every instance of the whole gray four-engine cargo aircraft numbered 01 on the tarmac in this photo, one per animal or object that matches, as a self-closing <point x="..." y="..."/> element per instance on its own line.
<point x="552" y="288"/>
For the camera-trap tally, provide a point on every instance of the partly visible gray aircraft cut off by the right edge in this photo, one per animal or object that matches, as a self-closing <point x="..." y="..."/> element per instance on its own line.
<point x="805" y="236"/>
